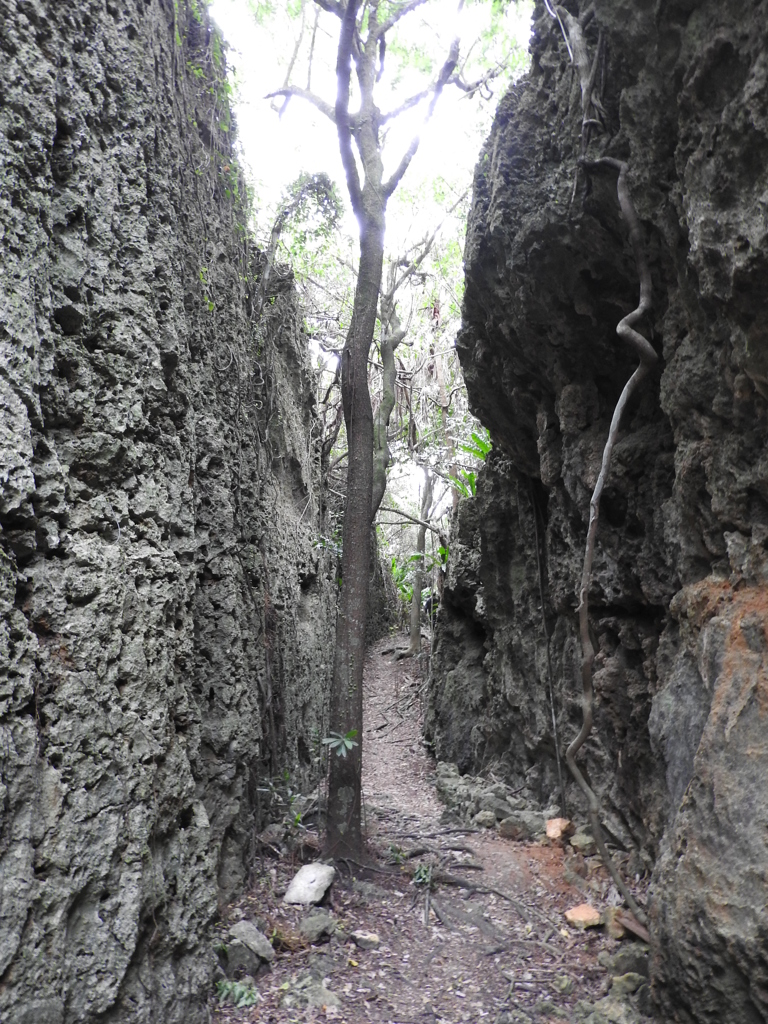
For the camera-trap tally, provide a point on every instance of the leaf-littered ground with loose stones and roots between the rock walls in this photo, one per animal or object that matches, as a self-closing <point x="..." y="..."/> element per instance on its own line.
<point x="454" y="923"/>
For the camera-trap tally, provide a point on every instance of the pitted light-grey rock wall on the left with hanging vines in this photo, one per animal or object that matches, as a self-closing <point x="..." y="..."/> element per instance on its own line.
<point x="165" y="620"/>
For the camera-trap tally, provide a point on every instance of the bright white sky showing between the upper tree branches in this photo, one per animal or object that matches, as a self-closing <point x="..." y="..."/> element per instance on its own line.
<point x="277" y="151"/>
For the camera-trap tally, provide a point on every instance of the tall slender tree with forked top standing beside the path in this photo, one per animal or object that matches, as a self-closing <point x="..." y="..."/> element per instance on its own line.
<point x="369" y="199"/>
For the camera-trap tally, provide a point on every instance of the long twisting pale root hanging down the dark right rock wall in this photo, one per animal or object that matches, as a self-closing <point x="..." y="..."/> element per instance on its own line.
<point x="649" y="358"/>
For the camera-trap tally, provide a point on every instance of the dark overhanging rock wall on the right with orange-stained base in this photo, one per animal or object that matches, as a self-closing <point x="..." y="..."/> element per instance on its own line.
<point x="678" y="753"/>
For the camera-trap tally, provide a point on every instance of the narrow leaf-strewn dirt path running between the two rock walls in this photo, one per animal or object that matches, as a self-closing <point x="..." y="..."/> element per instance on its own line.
<point x="493" y="948"/>
